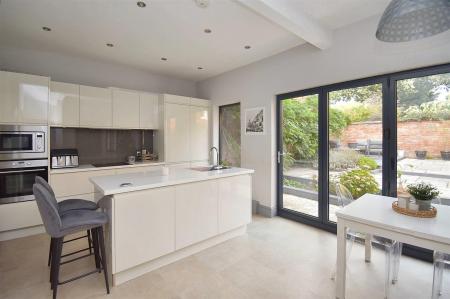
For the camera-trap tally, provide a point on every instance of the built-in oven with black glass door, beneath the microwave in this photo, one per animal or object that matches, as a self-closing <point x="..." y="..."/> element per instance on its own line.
<point x="16" y="184"/>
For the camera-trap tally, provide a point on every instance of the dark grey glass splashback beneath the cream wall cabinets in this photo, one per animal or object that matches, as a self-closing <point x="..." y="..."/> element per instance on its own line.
<point x="101" y="145"/>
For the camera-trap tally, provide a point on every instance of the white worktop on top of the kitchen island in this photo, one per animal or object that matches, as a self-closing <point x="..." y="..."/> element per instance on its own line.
<point x="109" y="185"/>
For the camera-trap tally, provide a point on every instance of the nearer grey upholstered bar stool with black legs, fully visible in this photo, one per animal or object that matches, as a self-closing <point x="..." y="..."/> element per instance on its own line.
<point x="58" y="226"/>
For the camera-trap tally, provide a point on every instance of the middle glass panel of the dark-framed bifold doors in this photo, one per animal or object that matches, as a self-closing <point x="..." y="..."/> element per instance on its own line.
<point x="355" y="142"/>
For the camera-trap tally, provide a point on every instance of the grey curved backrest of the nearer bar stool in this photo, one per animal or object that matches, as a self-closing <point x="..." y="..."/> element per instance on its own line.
<point x="48" y="208"/>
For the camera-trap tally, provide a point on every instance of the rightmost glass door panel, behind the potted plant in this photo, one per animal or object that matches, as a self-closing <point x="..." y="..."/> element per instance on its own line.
<point x="423" y="133"/>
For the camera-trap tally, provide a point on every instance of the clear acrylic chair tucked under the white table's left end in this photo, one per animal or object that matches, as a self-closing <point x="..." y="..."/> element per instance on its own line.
<point x="393" y="249"/>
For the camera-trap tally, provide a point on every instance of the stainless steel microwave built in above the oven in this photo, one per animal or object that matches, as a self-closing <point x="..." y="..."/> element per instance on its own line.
<point x="23" y="142"/>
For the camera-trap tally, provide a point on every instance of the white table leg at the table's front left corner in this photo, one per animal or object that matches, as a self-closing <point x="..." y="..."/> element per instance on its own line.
<point x="341" y="260"/>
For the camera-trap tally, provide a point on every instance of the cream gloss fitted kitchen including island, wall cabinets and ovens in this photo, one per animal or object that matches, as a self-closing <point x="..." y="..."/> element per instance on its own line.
<point x="144" y="159"/>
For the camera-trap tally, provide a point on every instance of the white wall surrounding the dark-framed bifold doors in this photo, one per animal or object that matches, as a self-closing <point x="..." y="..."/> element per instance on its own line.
<point x="355" y="53"/>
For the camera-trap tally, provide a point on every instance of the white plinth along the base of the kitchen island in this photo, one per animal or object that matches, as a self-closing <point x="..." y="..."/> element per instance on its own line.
<point x="142" y="269"/>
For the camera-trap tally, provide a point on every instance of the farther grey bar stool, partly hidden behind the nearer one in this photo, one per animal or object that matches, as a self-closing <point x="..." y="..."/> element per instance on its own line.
<point x="66" y="206"/>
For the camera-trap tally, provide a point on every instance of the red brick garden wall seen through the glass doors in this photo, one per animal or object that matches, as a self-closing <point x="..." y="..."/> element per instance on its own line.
<point x="431" y="136"/>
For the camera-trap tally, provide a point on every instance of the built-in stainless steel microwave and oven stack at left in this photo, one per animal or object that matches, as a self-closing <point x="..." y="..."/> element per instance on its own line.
<point x="23" y="156"/>
